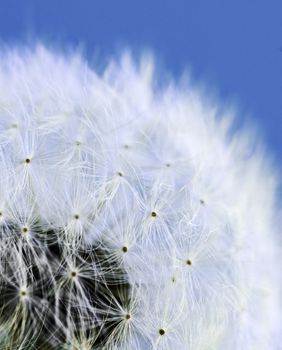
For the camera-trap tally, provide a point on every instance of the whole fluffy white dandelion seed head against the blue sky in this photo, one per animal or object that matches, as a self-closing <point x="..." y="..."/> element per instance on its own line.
<point x="131" y="217"/>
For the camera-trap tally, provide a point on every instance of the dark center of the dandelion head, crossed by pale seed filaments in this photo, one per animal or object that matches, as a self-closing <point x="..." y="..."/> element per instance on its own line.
<point x="53" y="299"/>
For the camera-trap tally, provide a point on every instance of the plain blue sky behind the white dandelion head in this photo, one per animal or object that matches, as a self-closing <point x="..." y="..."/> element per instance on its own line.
<point x="236" y="46"/>
